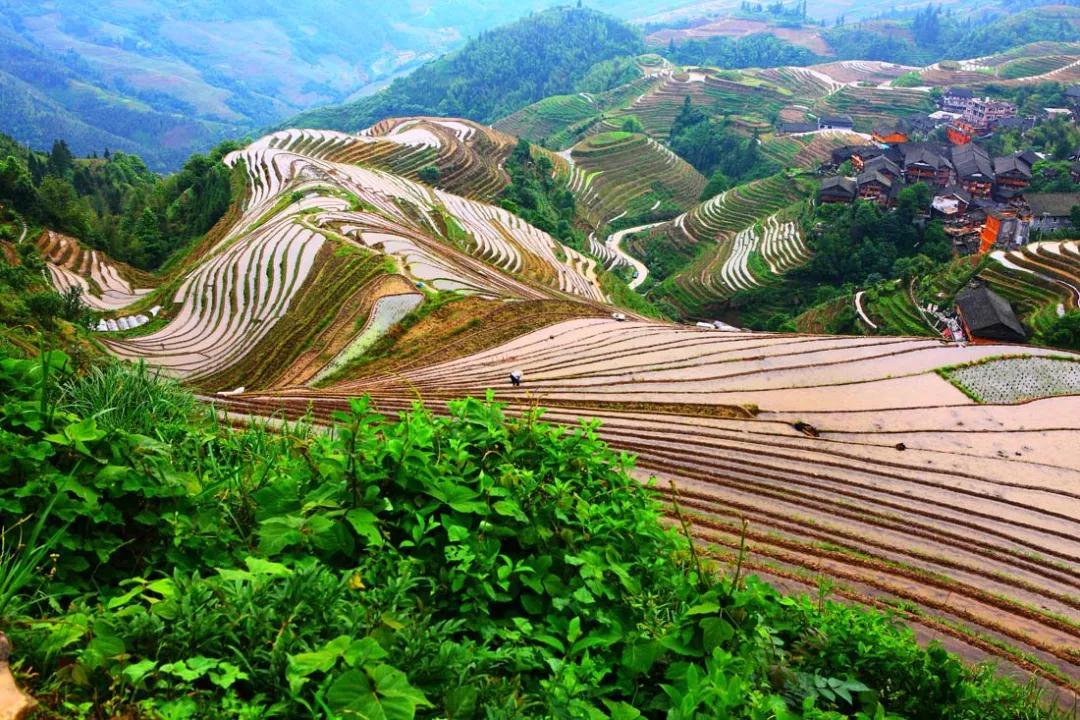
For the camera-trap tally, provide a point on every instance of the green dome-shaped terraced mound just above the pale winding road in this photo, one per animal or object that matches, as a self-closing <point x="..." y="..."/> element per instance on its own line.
<point x="614" y="173"/>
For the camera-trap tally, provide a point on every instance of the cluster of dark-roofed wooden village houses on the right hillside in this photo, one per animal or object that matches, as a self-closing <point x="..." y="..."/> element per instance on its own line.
<point x="981" y="200"/>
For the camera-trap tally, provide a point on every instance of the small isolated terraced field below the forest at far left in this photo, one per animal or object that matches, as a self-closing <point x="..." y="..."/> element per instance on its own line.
<point x="105" y="286"/>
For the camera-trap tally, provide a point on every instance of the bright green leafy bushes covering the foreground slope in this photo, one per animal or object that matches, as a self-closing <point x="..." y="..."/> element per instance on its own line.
<point x="475" y="566"/>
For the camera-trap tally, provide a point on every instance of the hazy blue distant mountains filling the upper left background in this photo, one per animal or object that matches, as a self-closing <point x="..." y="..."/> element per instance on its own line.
<point x="168" y="78"/>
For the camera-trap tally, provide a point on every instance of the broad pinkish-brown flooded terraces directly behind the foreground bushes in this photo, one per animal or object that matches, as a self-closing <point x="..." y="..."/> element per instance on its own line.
<point x="846" y="458"/>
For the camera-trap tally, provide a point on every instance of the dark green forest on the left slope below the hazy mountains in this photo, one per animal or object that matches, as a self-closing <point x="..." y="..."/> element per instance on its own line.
<point x="114" y="202"/>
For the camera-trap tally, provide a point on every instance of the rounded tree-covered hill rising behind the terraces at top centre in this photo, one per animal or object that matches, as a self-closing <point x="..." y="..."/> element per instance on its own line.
<point x="496" y="74"/>
